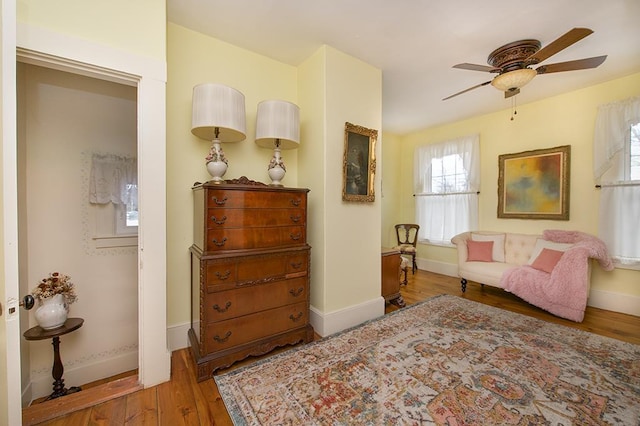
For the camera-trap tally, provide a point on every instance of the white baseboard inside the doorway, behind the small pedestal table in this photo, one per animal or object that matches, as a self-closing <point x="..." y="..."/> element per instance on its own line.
<point x="73" y="376"/>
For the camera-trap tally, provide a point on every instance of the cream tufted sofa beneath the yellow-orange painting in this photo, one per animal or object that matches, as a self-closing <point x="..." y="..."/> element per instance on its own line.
<point x="509" y="250"/>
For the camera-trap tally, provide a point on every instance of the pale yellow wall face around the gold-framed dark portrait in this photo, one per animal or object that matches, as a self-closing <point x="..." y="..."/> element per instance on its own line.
<point x="352" y="233"/>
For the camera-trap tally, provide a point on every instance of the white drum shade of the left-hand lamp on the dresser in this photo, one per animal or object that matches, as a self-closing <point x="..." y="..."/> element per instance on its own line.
<point x="218" y="106"/>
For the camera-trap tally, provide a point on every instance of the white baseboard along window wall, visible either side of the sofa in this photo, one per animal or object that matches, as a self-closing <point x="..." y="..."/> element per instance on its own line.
<point x="616" y="302"/>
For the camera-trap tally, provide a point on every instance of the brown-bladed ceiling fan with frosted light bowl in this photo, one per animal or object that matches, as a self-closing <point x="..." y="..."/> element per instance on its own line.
<point x="512" y="62"/>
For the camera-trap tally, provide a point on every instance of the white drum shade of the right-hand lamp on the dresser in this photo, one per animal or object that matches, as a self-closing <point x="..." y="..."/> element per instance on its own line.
<point x="278" y="120"/>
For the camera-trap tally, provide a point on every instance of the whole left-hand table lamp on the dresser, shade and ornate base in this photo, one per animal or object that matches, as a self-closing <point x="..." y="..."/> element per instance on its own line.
<point x="218" y="115"/>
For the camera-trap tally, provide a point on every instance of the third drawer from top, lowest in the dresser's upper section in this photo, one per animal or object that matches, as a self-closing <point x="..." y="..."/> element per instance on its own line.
<point x="254" y="238"/>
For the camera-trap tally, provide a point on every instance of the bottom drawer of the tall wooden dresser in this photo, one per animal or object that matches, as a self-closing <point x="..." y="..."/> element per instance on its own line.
<point x="237" y="331"/>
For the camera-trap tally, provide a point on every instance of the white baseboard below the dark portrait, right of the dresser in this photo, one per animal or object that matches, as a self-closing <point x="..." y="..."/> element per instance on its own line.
<point x="325" y="324"/>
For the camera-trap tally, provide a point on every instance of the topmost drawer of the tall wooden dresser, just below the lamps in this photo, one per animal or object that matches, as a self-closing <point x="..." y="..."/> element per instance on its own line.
<point x="218" y="198"/>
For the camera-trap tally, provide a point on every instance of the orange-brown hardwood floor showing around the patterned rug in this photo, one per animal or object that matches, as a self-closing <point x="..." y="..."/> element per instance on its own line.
<point x="184" y="401"/>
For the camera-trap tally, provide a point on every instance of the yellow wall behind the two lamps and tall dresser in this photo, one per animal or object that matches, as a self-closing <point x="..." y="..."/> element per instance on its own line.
<point x="194" y="58"/>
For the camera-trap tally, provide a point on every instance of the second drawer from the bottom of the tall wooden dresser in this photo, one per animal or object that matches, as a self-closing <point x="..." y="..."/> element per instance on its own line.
<point x="223" y="305"/>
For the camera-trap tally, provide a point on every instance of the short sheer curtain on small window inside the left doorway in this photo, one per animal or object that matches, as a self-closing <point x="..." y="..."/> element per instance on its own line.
<point x="114" y="179"/>
